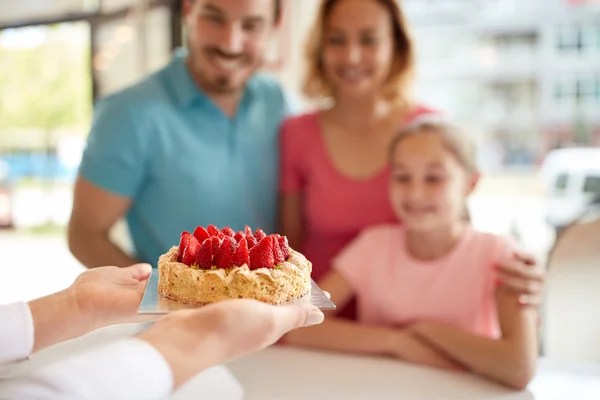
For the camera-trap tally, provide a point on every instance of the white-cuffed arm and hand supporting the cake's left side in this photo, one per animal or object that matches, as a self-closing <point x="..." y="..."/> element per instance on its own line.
<point x="97" y="298"/>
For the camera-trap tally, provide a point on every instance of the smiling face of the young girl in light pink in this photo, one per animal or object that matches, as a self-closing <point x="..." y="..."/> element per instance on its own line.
<point x="429" y="186"/>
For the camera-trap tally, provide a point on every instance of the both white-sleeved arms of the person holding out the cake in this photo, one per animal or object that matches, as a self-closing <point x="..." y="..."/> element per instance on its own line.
<point x="148" y="366"/>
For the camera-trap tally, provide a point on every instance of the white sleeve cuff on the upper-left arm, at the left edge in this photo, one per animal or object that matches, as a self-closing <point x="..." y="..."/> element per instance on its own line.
<point x="16" y="332"/>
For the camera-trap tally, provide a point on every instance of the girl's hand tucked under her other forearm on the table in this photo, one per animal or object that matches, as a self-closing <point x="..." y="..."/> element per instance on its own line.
<point x="408" y="347"/>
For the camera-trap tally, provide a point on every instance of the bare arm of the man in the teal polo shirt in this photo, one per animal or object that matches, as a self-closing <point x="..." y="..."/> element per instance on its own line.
<point x="94" y="213"/>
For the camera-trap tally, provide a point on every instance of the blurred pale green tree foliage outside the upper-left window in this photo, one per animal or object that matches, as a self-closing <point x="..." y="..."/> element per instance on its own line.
<point x="46" y="88"/>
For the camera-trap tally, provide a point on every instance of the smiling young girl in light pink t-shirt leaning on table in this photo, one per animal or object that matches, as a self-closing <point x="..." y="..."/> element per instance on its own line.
<point x="427" y="289"/>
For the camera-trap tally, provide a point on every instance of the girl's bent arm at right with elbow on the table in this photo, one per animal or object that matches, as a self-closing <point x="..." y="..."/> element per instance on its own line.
<point x="510" y="360"/>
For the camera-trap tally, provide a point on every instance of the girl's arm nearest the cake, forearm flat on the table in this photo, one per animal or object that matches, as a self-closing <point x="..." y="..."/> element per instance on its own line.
<point x="349" y="336"/>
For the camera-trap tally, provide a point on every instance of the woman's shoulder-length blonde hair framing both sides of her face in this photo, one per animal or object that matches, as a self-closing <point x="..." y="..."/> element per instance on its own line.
<point x="397" y="85"/>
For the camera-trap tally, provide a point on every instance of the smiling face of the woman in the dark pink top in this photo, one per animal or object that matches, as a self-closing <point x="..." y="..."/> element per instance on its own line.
<point x="358" y="48"/>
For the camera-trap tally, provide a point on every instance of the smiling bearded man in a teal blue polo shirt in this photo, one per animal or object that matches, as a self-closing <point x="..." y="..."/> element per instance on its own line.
<point x="194" y="144"/>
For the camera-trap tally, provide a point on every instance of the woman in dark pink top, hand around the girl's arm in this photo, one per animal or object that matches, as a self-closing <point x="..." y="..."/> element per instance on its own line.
<point x="334" y="179"/>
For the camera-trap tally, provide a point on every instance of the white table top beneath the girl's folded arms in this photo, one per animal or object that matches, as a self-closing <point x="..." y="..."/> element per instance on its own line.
<point x="281" y="373"/>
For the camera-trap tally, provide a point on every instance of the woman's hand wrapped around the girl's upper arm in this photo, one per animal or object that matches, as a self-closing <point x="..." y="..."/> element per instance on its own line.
<point x="523" y="275"/>
